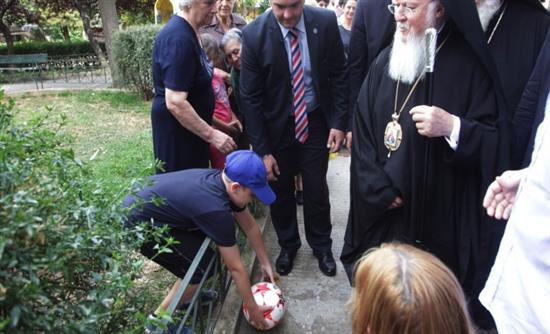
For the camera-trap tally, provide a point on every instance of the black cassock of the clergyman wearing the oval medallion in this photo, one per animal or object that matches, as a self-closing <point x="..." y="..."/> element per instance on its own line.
<point x="461" y="87"/>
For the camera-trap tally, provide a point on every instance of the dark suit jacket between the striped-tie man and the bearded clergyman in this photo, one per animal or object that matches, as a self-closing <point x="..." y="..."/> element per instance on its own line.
<point x="372" y="31"/>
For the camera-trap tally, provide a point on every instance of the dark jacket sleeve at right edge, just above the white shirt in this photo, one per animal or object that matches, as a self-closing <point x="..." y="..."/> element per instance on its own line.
<point x="532" y="105"/>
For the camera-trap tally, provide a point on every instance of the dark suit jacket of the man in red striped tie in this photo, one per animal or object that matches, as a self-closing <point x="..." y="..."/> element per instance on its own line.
<point x="266" y="89"/>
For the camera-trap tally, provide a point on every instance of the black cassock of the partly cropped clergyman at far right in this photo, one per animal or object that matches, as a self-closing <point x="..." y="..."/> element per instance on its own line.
<point x="514" y="39"/>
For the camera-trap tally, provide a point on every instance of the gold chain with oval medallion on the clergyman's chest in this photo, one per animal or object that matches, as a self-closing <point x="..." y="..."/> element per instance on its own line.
<point x="393" y="134"/>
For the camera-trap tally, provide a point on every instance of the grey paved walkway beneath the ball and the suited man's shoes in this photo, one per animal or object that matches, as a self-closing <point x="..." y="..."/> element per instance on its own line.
<point x="315" y="303"/>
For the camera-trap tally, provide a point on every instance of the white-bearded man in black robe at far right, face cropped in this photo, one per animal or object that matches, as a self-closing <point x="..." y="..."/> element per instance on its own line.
<point x="514" y="32"/>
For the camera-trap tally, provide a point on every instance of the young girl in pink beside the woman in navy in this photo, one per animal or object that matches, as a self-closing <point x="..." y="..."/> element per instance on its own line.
<point x="224" y="119"/>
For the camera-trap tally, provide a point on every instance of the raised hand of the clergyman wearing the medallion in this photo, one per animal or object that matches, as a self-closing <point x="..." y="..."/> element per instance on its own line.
<point x="432" y="121"/>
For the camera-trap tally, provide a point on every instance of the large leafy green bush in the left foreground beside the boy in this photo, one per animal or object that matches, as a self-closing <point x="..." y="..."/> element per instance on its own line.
<point x="66" y="263"/>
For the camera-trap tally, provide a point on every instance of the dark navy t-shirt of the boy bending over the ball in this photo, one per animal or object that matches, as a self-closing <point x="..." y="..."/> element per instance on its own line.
<point x="191" y="199"/>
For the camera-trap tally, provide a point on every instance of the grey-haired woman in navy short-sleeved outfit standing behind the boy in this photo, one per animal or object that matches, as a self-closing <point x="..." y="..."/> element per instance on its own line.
<point x="183" y="104"/>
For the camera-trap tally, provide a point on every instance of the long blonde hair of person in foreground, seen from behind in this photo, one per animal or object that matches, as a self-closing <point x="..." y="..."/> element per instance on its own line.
<point x="401" y="289"/>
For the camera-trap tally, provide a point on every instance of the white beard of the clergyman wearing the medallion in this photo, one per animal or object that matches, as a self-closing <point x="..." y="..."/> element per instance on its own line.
<point x="407" y="60"/>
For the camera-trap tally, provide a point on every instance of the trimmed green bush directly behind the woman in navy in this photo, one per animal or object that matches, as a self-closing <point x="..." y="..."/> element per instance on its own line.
<point x="132" y="51"/>
